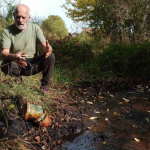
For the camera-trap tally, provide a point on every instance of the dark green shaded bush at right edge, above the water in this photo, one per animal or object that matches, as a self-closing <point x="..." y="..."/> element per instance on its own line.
<point x="127" y="60"/>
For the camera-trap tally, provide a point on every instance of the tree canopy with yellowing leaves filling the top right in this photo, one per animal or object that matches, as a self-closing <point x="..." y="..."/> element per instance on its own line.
<point x="114" y="17"/>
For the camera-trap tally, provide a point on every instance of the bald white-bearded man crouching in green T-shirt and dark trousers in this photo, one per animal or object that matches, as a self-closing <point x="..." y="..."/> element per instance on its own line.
<point x="19" y="47"/>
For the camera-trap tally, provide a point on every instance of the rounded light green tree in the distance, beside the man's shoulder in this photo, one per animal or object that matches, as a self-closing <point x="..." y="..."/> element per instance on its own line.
<point x="54" y="27"/>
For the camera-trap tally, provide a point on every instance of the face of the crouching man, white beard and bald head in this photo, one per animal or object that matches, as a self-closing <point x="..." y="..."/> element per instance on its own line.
<point x="22" y="18"/>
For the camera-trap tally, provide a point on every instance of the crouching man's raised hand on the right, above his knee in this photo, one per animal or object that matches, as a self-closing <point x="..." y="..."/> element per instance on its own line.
<point x="47" y="49"/>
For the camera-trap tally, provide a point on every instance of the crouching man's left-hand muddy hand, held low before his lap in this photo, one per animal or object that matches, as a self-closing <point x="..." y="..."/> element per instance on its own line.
<point x="19" y="58"/>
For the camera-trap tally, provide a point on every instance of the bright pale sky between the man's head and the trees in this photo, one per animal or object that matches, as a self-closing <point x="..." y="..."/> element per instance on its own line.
<point x="44" y="8"/>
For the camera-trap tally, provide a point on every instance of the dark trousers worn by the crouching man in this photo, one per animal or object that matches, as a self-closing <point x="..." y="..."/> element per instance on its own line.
<point x="34" y="66"/>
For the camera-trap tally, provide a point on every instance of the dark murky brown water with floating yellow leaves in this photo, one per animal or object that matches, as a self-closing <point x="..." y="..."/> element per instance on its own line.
<point x="113" y="121"/>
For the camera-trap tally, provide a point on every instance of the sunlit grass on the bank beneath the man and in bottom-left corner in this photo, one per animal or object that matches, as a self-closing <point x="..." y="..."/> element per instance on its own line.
<point x="11" y="90"/>
